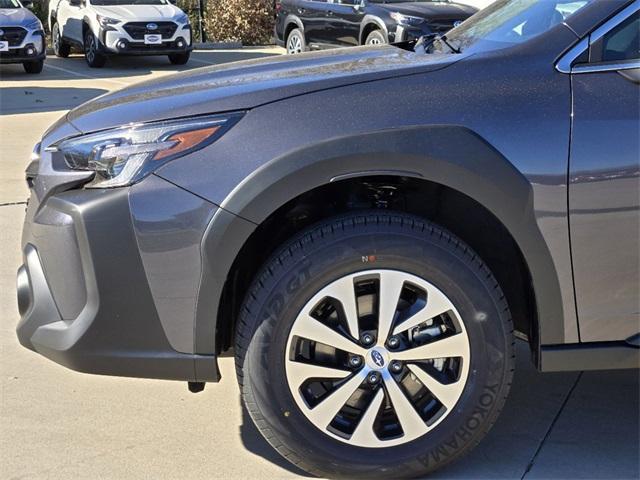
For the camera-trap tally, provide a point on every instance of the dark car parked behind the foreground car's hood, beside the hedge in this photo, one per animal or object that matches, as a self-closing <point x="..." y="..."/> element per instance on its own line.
<point x="316" y="24"/>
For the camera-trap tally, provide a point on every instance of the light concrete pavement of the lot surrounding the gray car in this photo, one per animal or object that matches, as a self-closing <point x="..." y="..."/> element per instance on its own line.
<point x="55" y="423"/>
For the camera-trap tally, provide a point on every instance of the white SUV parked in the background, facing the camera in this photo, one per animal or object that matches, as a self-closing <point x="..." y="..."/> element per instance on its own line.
<point x="120" y="27"/>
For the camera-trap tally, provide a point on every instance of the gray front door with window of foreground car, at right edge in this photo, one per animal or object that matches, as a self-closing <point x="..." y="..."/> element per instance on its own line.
<point x="604" y="183"/>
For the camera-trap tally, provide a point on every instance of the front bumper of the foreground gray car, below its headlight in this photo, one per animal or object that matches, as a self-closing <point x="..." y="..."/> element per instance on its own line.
<point x="85" y="294"/>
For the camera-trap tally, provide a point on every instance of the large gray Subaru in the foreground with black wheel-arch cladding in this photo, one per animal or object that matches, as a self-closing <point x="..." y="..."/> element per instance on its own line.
<point x="368" y="230"/>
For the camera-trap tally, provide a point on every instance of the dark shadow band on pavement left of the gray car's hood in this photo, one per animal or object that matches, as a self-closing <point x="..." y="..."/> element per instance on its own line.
<point x="31" y="99"/>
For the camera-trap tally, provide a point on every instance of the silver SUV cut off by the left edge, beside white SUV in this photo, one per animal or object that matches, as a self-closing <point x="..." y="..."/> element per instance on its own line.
<point x="21" y="36"/>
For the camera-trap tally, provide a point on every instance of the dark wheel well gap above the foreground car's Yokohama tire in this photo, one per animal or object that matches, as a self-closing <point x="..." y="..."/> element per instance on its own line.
<point x="449" y="208"/>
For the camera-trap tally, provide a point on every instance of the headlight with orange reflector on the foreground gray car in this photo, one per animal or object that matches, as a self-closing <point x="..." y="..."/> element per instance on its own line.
<point x="125" y="155"/>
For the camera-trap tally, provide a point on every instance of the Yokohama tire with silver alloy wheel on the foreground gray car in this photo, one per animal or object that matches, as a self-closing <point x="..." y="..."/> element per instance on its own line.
<point x="369" y="248"/>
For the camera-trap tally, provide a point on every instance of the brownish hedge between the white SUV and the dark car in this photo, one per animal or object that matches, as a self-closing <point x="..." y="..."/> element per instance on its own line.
<point x="246" y="21"/>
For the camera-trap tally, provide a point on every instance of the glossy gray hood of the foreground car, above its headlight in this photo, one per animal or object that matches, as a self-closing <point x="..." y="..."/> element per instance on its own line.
<point x="248" y="84"/>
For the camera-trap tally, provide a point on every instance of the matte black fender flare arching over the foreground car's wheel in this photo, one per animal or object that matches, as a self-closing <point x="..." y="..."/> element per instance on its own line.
<point x="450" y="155"/>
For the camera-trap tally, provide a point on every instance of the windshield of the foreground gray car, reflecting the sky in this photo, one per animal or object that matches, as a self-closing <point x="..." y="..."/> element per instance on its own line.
<point x="507" y="23"/>
